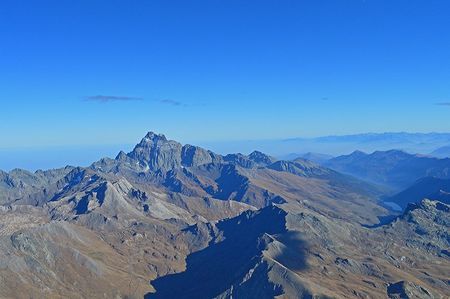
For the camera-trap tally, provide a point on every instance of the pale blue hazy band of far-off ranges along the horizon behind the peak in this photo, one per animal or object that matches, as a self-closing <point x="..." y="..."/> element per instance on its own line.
<point x="315" y="149"/>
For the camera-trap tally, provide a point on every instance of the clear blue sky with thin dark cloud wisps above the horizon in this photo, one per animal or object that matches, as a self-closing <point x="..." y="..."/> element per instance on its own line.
<point x="220" y="70"/>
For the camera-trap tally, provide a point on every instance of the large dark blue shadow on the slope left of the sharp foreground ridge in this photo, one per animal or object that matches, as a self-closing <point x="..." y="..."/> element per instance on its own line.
<point x="221" y="265"/>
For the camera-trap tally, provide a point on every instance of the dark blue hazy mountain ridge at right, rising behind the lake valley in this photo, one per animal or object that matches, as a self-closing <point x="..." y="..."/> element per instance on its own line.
<point x="395" y="169"/>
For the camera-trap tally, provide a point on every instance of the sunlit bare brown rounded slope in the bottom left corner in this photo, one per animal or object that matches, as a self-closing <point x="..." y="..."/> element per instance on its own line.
<point x="57" y="259"/>
